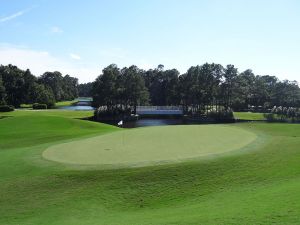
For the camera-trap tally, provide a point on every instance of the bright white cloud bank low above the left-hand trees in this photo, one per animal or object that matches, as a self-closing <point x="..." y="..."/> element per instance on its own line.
<point x="41" y="61"/>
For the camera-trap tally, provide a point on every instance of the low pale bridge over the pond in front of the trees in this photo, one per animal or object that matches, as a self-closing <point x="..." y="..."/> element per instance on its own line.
<point x="159" y="110"/>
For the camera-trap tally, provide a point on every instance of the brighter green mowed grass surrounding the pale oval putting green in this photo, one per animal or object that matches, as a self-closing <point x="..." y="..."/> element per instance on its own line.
<point x="256" y="186"/>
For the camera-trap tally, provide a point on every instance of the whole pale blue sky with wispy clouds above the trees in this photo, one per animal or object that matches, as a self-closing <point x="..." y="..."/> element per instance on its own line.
<point x="82" y="37"/>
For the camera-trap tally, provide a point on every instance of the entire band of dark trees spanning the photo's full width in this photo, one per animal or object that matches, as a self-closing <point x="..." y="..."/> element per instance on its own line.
<point x="202" y="89"/>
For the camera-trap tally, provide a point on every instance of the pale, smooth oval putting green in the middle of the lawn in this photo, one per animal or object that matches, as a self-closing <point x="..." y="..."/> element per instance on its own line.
<point x="152" y="145"/>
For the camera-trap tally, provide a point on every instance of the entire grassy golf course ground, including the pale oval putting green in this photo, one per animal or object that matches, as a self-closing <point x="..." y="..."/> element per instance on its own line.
<point x="56" y="168"/>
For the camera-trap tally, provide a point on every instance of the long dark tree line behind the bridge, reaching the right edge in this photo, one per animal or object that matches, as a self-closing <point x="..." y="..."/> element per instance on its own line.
<point x="202" y="89"/>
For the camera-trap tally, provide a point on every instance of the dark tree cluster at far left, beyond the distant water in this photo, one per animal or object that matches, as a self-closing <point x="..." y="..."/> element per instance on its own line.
<point x="22" y="87"/>
